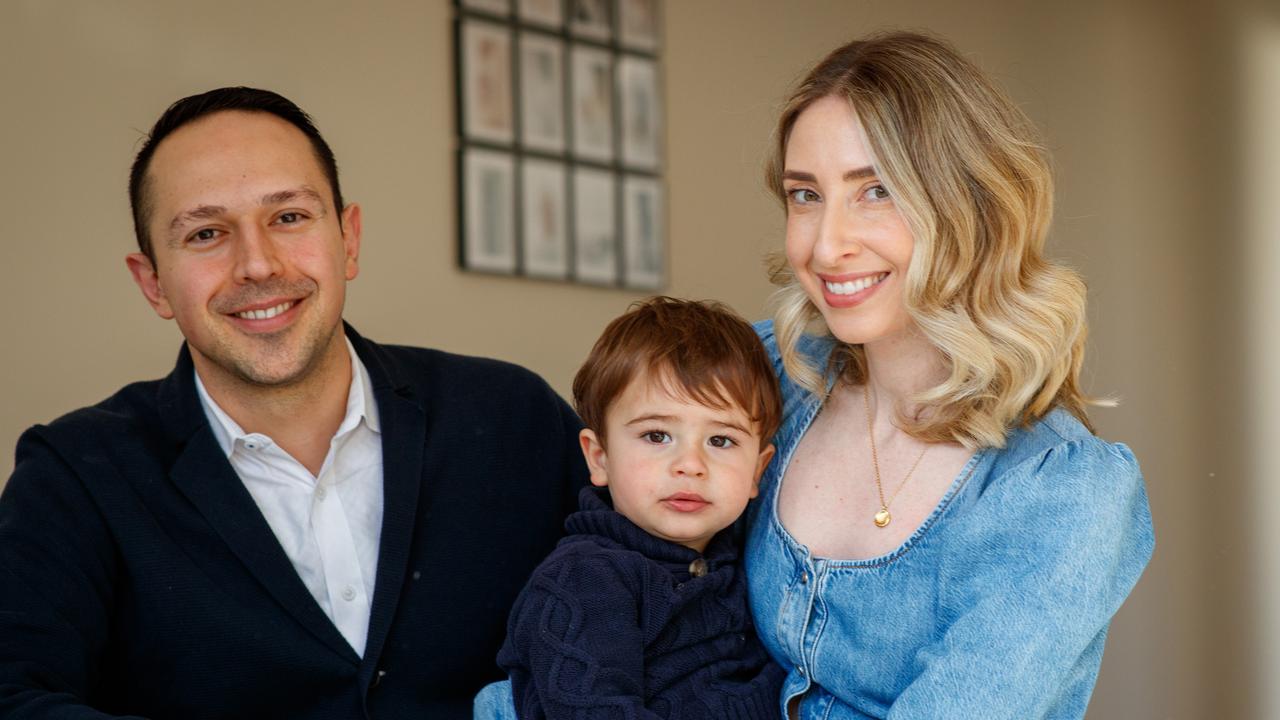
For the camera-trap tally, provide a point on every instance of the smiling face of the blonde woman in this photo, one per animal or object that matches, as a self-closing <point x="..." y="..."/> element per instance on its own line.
<point x="847" y="241"/>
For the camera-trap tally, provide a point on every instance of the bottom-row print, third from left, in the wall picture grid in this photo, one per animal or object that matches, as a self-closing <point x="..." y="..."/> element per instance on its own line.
<point x="596" y="244"/>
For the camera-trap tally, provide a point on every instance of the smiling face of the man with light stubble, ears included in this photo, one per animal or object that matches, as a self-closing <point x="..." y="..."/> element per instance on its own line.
<point x="250" y="257"/>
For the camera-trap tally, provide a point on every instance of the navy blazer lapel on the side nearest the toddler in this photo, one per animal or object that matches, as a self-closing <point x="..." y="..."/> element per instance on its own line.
<point x="405" y="427"/>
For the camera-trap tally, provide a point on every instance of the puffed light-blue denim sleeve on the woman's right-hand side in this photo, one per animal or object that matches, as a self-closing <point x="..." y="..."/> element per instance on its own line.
<point x="1028" y="586"/>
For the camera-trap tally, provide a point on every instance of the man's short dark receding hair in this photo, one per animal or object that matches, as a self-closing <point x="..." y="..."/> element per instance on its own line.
<point x="191" y="110"/>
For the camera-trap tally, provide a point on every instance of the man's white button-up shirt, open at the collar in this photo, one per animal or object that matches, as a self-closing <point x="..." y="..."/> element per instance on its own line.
<point x="330" y="526"/>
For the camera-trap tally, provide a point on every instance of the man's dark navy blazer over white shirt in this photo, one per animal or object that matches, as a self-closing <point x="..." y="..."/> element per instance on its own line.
<point x="138" y="576"/>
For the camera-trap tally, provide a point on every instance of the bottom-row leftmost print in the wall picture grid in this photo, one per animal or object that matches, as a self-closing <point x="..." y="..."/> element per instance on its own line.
<point x="488" y="217"/>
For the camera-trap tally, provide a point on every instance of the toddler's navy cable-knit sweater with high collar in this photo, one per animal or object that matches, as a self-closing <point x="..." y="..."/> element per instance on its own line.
<point x="618" y="623"/>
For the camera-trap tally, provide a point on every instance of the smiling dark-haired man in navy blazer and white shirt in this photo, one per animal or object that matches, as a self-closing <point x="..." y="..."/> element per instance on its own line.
<point x="296" y="522"/>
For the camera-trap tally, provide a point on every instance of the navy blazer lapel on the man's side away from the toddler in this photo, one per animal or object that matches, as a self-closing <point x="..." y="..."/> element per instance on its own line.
<point x="204" y="476"/>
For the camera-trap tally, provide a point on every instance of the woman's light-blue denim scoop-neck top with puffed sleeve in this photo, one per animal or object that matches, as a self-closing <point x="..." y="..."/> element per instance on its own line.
<point x="998" y="607"/>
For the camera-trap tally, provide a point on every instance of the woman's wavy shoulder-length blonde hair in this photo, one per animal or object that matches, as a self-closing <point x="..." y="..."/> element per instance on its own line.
<point x="972" y="181"/>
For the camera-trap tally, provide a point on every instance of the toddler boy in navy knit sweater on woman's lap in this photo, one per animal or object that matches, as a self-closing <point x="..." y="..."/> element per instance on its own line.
<point x="642" y="610"/>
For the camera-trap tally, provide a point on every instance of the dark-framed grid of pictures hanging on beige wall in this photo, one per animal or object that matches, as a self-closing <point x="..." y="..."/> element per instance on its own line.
<point x="560" y="140"/>
